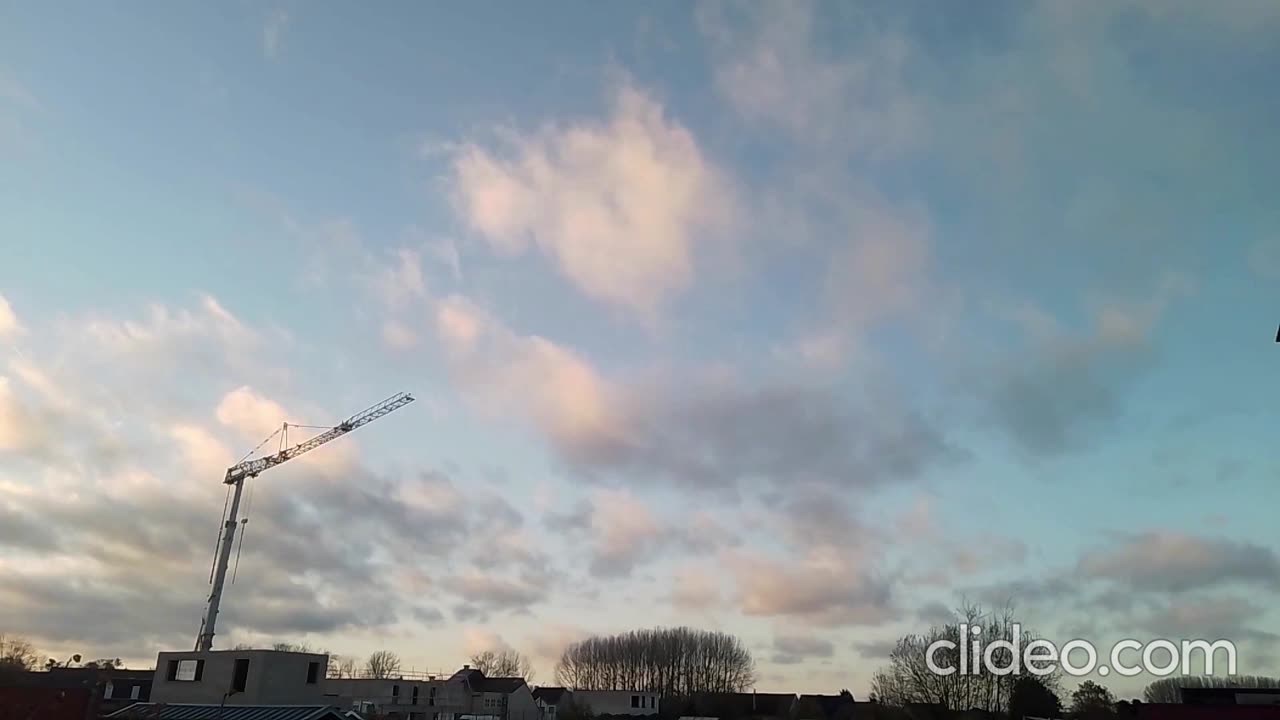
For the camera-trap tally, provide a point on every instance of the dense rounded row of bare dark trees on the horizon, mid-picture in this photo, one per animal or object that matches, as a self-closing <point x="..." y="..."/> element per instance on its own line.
<point x="673" y="662"/>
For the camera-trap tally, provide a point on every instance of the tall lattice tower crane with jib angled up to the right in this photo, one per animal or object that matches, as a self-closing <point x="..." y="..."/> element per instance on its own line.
<point x="246" y="470"/>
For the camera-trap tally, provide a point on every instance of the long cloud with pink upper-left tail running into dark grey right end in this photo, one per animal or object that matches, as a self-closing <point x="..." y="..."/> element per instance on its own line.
<point x="705" y="432"/>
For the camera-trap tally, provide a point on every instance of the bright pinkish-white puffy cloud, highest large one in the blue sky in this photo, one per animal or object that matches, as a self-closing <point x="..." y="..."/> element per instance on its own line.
<point x="620" y="207"/>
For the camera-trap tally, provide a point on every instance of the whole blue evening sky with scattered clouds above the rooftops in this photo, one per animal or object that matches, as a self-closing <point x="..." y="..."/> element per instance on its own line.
<point x="803" y="322"/>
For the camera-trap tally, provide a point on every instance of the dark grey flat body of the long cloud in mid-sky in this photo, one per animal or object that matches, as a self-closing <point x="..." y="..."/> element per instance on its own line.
<point x="717" y="435"/>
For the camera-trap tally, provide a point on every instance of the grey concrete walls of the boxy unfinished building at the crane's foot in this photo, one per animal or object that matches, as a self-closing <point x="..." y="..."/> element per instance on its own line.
<point x="275" y="678"/>
